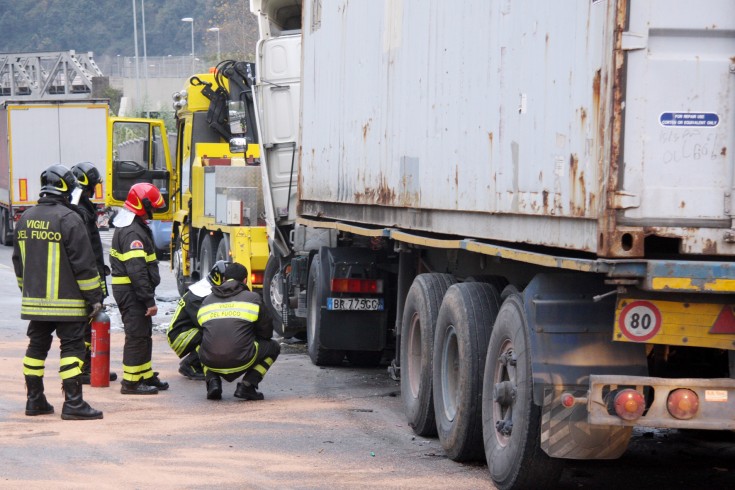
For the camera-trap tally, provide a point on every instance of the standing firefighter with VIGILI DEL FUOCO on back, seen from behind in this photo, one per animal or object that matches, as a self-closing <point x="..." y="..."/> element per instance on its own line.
<point x="60" y="285"/>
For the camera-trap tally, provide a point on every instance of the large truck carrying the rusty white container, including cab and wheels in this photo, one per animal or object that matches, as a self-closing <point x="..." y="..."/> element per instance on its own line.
<point x="527" y="205"/>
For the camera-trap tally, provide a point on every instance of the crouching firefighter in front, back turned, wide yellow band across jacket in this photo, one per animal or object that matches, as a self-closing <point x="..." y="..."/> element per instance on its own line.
<point x="236" y="336"/>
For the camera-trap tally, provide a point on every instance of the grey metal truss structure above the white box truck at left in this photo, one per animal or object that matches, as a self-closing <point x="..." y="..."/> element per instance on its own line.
<point x="47" y="75"/>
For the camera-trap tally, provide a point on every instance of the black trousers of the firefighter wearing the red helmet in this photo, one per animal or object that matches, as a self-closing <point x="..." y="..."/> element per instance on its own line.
<point x="138" y="348"/>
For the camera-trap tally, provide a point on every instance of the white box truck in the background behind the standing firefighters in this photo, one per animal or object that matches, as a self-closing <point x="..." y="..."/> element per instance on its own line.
<point x="36" y="134"/>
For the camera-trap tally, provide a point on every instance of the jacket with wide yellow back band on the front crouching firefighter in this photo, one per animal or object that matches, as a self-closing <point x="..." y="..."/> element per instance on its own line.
<point x="233" y="319"/>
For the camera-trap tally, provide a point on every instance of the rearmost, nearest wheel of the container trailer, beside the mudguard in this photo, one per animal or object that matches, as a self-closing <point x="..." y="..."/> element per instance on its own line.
<point x="510" y="419"/>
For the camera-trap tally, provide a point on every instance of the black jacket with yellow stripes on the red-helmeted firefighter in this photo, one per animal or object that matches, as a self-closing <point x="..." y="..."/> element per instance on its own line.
<point x="133" y="261"/>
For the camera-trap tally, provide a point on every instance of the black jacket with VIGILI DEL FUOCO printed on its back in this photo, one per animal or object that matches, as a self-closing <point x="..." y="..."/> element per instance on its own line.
<point x="56" y="271"/>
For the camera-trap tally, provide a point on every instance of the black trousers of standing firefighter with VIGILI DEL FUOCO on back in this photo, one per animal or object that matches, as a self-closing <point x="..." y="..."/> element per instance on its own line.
<point x="40" y="337"/>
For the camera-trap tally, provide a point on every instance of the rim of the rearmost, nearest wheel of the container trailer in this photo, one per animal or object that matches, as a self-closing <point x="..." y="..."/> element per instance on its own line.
<point x="505" y="387"/>
